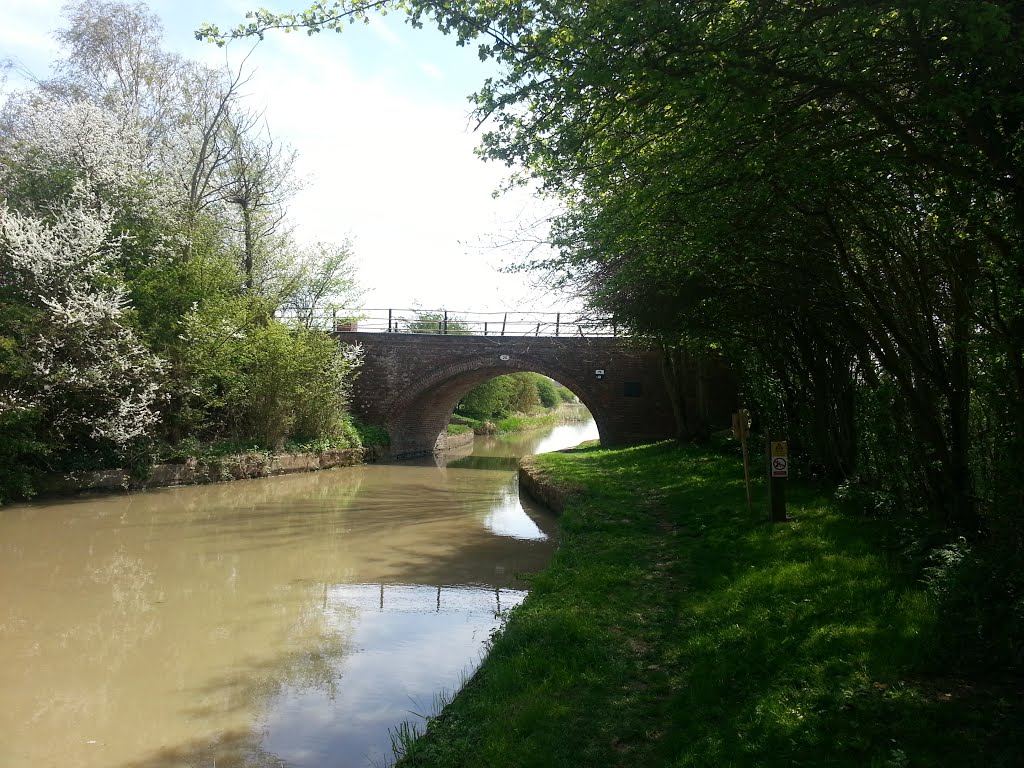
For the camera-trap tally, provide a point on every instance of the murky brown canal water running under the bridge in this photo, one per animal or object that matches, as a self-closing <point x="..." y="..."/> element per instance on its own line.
<point x="284" y="622"/>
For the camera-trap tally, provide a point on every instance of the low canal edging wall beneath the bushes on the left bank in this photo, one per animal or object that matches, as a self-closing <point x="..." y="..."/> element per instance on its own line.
<point x="193" y="473"/>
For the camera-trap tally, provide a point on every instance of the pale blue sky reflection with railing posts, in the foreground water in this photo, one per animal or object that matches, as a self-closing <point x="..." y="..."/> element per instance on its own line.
<point x="440" y="626"/>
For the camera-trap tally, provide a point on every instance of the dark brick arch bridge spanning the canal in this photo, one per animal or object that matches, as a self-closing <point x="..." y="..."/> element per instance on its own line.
<point x="411" y="383"/>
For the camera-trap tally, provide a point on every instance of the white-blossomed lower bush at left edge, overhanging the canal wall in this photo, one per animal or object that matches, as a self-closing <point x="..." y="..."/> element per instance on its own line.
<point x="91" y="374"/>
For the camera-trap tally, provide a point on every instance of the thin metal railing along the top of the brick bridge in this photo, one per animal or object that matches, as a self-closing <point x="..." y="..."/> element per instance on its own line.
<point x="451" y="323"/>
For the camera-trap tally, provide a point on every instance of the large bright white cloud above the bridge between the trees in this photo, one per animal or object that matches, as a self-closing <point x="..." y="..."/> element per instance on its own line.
<point x="398" y="175"/>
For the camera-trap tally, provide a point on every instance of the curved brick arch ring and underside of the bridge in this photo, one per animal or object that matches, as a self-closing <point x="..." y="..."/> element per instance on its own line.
<point x="425" y="408"/>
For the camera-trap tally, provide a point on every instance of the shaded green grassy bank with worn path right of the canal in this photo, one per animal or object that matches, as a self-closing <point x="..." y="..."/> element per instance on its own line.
<point x="675" y="629"/>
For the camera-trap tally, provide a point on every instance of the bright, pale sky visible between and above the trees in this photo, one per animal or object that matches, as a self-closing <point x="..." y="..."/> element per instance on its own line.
<point x="379" y="116"/>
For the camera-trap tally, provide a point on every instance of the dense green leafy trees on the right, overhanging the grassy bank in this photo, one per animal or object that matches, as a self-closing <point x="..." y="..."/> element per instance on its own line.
<point x="856" y="168"/>
